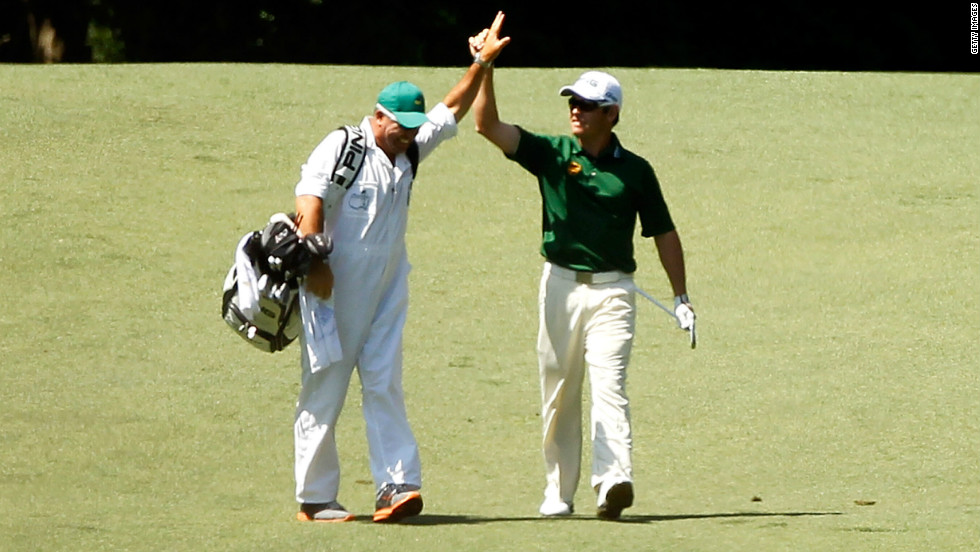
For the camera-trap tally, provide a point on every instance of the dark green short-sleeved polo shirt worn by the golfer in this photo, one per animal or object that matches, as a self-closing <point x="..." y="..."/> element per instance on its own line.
<point x="590" y="205"/>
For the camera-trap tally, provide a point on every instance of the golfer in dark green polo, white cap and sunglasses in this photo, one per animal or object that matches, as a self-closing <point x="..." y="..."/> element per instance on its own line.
<point x="593" y="190"/>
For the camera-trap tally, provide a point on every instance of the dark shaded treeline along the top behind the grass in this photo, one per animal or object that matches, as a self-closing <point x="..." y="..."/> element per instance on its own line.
<point x="931" y="36"/>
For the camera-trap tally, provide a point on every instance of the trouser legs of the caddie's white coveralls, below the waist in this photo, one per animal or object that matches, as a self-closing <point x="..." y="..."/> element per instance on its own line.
<point x="371" y="307"/>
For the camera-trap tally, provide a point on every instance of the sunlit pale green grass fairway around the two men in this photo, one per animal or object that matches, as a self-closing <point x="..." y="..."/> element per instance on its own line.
<point x="831" y="222"/>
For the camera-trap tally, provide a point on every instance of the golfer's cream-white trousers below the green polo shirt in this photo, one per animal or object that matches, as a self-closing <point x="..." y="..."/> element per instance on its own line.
<point x="585" y="327"/>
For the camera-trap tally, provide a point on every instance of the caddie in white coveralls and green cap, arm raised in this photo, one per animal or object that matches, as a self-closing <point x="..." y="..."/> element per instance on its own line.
<point x="354" y="309"/>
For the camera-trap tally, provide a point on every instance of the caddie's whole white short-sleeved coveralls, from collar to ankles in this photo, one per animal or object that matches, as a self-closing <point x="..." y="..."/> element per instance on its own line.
<point x="369" y="306"/>
